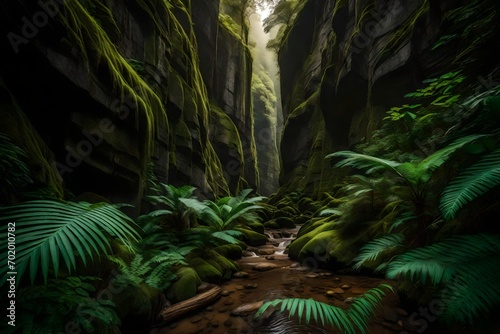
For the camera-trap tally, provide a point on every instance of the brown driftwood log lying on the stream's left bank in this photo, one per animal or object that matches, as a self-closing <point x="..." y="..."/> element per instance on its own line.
<point x="209" y="293"/>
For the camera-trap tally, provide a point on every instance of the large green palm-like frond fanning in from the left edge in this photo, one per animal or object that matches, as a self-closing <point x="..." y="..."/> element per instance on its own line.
<point x="49" y="229"/>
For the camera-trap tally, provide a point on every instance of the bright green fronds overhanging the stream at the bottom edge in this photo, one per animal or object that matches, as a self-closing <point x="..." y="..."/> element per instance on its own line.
<point x="355" y="320"/>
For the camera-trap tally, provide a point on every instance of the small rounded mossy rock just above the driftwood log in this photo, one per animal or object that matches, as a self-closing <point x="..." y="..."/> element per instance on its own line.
<point x="185" y="287"/>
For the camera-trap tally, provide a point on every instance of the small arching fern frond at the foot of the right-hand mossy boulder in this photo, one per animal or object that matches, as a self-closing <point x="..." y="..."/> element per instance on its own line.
<point x="375" y="248"/>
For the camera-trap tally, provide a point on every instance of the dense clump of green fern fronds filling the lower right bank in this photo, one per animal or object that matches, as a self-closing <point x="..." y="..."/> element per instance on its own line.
<point x="463" y="267"/>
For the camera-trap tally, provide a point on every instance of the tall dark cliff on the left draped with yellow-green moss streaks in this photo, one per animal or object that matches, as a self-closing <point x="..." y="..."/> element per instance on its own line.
<point x="96" y="90"/>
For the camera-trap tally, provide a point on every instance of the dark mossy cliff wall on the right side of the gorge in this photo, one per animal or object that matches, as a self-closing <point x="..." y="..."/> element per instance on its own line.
<point x="343" y="65"/>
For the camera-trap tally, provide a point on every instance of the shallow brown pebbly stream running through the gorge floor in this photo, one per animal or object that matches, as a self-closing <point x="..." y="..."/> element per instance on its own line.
<point x="284" y="279"/>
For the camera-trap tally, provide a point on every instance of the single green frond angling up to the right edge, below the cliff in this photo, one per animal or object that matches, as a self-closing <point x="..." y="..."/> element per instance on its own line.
<point x="473" y="182"/>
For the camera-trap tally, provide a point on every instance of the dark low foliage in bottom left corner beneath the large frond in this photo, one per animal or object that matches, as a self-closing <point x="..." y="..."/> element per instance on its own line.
<point x="50" y="308"/>
